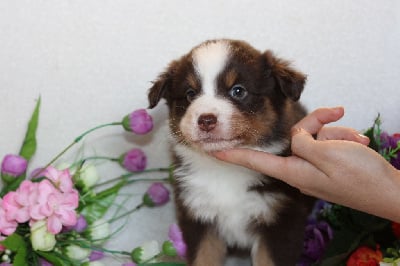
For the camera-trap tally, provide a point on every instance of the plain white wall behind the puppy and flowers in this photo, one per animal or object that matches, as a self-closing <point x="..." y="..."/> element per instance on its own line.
<point x="93" y="61"/>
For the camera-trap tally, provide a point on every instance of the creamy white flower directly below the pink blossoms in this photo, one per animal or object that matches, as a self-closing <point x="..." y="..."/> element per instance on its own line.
<point x="41" y="238"/>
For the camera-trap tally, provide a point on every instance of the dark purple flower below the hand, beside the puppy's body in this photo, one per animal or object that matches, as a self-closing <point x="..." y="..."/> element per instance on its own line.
<point x="317" y="237"/>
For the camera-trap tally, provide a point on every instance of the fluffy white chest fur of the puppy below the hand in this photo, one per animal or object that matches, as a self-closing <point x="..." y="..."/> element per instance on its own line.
<point x="219" y="193"/>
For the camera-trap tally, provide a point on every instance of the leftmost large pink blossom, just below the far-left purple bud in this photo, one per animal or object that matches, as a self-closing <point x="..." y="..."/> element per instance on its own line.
<point x="17" y="204"/>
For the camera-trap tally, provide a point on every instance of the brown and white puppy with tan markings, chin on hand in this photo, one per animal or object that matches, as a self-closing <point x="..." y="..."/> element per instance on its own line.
<point x="225" y="94"/>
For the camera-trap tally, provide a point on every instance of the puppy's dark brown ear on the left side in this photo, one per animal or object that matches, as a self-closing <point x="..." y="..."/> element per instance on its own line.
<point x="161" y="86"/>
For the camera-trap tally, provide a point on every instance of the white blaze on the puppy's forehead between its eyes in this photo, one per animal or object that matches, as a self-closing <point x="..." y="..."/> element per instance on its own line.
<point x="209" y="60"/>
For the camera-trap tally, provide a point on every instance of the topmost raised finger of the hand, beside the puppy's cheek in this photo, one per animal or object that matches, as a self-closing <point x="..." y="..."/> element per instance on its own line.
<point x="313" y="122"/>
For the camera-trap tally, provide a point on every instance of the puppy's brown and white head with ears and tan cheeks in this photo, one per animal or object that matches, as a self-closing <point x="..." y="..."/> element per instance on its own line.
<point x="225" y="93"/>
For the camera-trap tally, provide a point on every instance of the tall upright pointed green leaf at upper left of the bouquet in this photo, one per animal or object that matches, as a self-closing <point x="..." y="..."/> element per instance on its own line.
<point x="29" y="145"/>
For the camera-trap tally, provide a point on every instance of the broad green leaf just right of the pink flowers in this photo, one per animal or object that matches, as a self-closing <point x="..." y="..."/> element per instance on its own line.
<point x="95" y="207"/>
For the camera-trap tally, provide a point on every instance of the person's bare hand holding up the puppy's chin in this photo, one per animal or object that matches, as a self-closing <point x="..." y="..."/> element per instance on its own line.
<point x="337" y="166"/>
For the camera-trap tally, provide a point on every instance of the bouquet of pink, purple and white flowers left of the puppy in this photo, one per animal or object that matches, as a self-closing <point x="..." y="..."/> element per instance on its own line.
<point x="56" y="215"/>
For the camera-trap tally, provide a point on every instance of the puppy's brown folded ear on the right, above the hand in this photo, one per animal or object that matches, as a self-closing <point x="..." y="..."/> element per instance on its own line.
<point x="290" y="81"/>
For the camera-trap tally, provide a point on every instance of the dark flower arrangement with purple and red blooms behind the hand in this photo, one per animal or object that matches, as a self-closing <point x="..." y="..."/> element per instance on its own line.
<point x="337" y="235"/>
